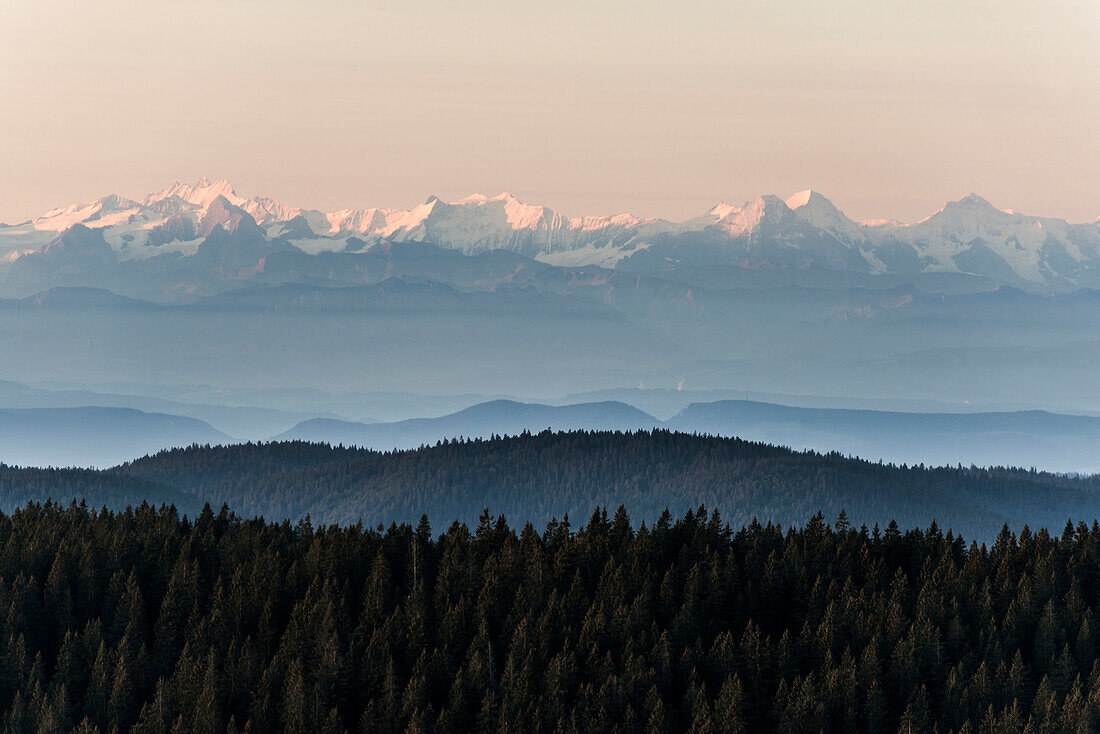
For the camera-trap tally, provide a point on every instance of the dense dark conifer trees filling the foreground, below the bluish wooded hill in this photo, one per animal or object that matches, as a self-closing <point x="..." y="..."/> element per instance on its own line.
<point x="148" y="622"/>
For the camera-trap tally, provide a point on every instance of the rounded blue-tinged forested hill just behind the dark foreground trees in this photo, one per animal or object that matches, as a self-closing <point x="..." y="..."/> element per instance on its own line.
<point x="541" y="477"/>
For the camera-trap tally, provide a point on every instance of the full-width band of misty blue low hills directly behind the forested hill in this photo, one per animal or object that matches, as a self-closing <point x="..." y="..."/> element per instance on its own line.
<point x="103" y="437"/>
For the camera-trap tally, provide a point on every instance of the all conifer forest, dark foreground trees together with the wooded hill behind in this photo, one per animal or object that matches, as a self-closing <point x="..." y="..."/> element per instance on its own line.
<point x="321" y="598"/>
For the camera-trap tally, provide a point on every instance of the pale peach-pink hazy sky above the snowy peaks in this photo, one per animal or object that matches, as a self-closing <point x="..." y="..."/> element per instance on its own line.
<point x="888" y="107"/>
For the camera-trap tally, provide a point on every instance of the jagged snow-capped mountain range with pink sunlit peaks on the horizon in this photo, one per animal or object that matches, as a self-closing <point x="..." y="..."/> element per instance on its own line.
<point x="969" y="239"/>
